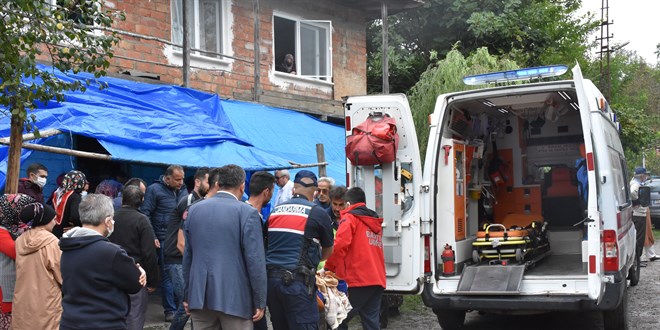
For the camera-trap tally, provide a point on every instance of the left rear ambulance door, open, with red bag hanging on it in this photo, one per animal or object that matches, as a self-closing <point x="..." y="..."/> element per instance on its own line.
<point x="392" y="189"/>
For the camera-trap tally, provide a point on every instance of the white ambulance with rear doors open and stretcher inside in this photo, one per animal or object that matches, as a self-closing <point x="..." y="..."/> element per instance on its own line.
<point x="522" y="202"/>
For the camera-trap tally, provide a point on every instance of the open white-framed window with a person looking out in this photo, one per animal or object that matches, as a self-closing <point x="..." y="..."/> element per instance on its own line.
<point x="308" y="43"/>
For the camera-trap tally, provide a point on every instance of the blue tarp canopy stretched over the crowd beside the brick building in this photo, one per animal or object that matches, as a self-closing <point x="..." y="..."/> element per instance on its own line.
<point x="167" y="124"/>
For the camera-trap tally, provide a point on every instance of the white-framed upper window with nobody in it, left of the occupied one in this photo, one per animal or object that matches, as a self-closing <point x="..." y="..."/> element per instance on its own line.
<point x="205" y="24"/>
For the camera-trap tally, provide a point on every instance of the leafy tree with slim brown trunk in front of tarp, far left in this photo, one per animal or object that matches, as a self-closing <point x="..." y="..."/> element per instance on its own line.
<point x="63" y="35"/>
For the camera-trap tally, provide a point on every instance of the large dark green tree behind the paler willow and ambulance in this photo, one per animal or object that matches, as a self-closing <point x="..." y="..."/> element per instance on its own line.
<point x="529" y="32"/>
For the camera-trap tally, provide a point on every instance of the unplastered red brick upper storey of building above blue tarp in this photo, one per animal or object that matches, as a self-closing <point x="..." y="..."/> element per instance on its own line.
<point x="230" y="38"/>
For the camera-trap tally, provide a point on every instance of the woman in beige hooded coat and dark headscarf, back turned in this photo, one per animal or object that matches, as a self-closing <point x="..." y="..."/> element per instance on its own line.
<point x="38" y="292"/>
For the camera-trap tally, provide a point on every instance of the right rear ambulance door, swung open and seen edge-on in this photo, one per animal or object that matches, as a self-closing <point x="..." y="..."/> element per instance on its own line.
<point x="595" y="257"/>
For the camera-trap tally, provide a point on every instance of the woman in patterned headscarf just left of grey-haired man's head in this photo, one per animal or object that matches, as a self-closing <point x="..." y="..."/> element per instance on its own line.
<point x="66" y="200"/>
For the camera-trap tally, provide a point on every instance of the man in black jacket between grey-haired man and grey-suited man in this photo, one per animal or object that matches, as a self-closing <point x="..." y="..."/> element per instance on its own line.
<point x="133" y="233"/>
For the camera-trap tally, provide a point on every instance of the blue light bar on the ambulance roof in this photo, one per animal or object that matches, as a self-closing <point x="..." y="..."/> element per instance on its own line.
<point x="538" y="72"/>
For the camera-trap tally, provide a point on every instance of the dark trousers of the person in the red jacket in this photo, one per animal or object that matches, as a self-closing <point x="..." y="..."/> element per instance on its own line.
<point x="366" y="303"/>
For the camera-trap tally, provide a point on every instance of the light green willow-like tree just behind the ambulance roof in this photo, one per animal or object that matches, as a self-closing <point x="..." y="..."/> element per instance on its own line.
<point x="447" y="76"/>
